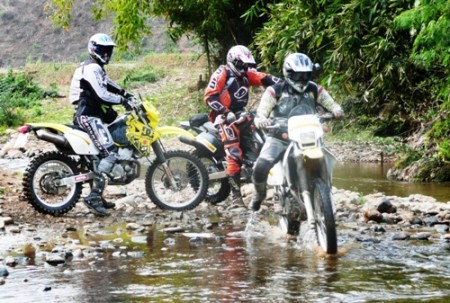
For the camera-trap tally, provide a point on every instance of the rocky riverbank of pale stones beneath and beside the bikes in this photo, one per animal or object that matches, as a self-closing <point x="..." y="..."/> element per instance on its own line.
<point x="25" y="233"/>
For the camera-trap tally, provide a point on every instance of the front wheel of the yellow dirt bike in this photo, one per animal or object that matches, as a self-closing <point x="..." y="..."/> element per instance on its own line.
<point x="179" y="183"/>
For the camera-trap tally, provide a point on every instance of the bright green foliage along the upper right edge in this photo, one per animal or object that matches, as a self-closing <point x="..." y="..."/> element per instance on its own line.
<point x="429" y="25"/>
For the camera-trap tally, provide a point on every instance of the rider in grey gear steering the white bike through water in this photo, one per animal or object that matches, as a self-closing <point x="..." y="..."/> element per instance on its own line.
<point x="277" y="101"/>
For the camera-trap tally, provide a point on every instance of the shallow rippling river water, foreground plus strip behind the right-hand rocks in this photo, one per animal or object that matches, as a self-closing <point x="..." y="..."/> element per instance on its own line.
<point x="239" y="263"/>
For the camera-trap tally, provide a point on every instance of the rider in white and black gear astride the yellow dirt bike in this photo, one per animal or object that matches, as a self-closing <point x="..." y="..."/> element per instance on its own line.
<point x="93" y="93"/>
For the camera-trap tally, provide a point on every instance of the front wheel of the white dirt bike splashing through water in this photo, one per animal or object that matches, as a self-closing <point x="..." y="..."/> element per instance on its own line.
<point x="324" y="217"/>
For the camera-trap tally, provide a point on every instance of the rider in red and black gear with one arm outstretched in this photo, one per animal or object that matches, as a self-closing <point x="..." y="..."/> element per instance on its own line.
<point x="227" y="94"/>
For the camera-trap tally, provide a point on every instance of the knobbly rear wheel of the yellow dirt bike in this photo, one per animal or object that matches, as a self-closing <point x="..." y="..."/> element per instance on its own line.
<point x="42" y="187"/>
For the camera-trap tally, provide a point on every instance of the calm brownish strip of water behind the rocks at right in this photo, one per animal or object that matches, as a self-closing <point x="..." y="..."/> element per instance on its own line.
<point x="369" y="178"/>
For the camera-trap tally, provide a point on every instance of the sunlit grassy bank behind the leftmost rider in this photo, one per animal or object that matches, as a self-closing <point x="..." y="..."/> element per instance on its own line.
<point x="169" y="81"/>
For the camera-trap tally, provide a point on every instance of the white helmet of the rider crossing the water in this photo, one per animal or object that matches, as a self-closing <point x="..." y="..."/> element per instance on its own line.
<point x="297" y="71"/>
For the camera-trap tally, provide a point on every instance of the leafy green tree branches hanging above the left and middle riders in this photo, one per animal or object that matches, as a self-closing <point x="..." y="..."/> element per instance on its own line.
<point x="216" y="23"/>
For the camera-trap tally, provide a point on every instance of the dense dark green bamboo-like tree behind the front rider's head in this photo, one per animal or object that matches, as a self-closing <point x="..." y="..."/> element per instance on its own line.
<point x="361" y="52"/>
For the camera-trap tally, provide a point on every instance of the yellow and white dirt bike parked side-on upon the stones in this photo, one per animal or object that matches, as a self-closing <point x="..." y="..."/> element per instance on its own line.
<point x="52" y="182"/>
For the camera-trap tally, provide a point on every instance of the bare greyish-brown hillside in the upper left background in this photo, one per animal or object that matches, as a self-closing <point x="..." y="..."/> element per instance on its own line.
<point x="28" y="35"/>
